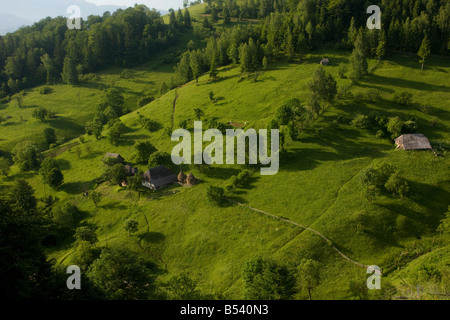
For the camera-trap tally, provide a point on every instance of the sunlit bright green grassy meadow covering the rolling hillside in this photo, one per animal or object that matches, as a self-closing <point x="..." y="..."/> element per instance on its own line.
<point x="317" y="186"/>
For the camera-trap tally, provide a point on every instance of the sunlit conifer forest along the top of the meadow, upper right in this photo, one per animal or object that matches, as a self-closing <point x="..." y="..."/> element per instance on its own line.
<point x="290" y="29"/>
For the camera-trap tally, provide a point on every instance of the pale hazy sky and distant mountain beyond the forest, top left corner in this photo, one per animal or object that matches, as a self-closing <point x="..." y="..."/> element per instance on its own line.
<point x="26" y="12"/>
